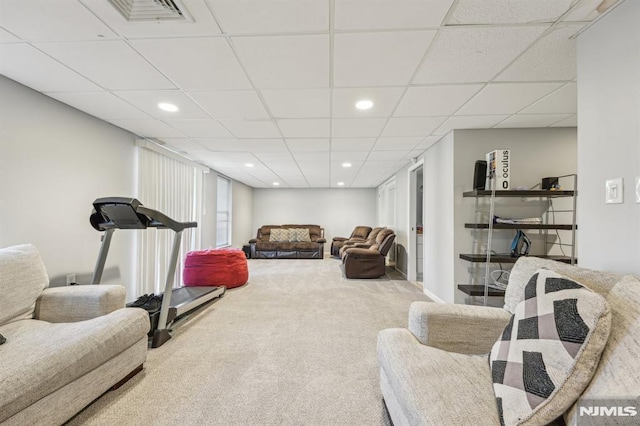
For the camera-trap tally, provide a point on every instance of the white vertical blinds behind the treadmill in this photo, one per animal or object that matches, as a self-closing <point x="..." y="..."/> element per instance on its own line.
<point x="174" y="188"/>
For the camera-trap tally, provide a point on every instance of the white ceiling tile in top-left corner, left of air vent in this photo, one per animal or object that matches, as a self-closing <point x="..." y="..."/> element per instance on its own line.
<point x="46" y="20"/>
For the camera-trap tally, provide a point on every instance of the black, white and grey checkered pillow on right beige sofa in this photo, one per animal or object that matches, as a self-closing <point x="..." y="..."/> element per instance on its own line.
<point x="549" y="351"/>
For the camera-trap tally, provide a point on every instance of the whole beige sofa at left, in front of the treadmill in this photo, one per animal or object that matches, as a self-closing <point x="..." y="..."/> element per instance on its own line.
<point x="64" y="346"/>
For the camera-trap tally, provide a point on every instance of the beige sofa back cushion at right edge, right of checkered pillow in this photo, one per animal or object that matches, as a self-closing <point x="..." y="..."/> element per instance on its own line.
<point x="618" y="374"/>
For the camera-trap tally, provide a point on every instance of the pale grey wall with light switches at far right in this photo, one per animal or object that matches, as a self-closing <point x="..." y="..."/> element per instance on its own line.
<point x="609" y="139"/>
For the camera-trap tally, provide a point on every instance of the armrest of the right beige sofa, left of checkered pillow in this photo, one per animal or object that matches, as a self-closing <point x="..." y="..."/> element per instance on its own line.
<point x="465" y="329"/>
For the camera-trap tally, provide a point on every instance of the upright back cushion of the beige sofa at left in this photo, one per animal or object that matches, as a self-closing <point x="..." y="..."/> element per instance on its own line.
<point x="22" y="279"/>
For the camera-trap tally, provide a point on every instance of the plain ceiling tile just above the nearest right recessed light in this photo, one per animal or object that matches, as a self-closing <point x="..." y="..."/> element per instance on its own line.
<point x="378" y="59"/>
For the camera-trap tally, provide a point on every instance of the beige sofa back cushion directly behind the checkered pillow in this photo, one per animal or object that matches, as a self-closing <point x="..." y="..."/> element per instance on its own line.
<point x="526" y="266"/>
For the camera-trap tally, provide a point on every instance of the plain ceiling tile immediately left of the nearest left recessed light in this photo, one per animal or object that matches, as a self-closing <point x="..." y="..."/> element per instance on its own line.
<point x="103" y="105"/>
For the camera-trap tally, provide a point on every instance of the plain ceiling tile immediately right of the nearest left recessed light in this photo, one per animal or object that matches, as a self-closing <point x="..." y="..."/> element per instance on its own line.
<point x="238" y="104"/>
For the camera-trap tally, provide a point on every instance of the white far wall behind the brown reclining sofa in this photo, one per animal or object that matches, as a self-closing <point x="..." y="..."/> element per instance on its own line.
<point x="338" y="211"/>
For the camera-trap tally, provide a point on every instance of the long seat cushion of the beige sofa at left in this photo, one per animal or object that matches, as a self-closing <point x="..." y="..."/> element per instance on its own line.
<point x="41" y="357"/>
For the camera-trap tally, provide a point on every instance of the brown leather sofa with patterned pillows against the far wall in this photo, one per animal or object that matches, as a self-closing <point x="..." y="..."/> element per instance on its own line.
<point x="288" y="242"/>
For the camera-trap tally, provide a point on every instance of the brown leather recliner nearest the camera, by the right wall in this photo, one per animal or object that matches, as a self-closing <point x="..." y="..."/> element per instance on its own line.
<point x="368" y="260"/>
